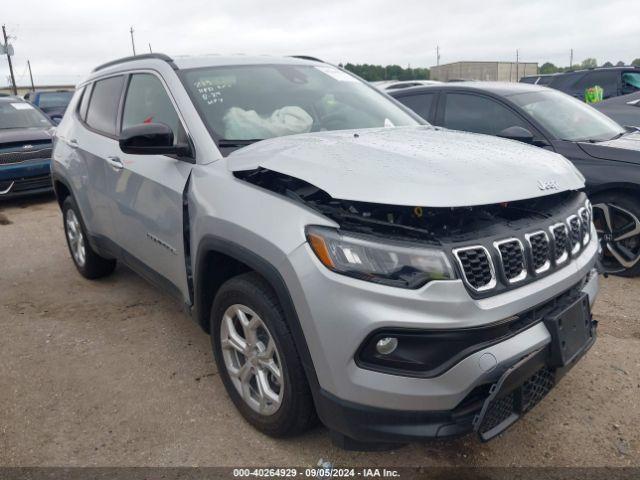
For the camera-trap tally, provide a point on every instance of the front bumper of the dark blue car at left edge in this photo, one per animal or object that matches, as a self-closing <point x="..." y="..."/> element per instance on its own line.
<point x="25" y="178"/>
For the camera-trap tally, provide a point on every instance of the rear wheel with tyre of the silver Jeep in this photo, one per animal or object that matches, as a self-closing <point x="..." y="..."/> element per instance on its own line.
<point x="87" y="261"/>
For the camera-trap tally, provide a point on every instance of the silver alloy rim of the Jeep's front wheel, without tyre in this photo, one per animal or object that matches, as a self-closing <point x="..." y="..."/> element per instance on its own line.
<point x="252" y="359"/>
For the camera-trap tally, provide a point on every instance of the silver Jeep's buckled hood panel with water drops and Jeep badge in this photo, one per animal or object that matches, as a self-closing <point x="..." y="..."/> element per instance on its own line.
<point x="409" y="166"/>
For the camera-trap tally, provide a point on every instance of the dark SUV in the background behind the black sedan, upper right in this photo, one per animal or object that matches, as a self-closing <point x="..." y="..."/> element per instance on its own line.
<point x="614" y="81"/>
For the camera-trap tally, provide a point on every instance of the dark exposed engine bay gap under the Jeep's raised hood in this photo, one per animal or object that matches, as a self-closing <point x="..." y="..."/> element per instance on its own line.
<point x="429" y="225"/>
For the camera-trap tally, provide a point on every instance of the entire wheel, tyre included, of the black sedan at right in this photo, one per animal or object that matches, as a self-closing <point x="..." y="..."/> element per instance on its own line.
<point x="623" y="211"/>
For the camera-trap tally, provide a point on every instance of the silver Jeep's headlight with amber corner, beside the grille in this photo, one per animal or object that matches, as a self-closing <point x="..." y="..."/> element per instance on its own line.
<point x="397" y="264"/>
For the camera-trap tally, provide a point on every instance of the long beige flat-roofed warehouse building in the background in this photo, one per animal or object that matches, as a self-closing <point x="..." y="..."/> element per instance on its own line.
<point x="486" y="71"/>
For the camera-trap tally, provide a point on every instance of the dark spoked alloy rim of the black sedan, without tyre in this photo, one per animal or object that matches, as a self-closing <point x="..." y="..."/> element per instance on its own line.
<point x="619" y="234"/>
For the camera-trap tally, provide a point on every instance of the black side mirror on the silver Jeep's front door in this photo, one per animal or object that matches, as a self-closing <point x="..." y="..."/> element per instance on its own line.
<point x="151" y="139"/>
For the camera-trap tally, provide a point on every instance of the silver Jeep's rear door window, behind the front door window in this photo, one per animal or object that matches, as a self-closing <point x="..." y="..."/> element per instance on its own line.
<point x="103" y="106"/>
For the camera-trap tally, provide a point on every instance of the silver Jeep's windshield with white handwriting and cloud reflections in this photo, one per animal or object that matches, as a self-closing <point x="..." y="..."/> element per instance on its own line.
<point x="256" y="102"/>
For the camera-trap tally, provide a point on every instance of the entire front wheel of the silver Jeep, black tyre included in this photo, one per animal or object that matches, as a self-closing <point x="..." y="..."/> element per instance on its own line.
<point x="257" y="358"/>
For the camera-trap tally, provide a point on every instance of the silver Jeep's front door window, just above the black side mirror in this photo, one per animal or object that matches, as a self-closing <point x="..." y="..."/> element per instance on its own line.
<point x="147" y="101"/>
